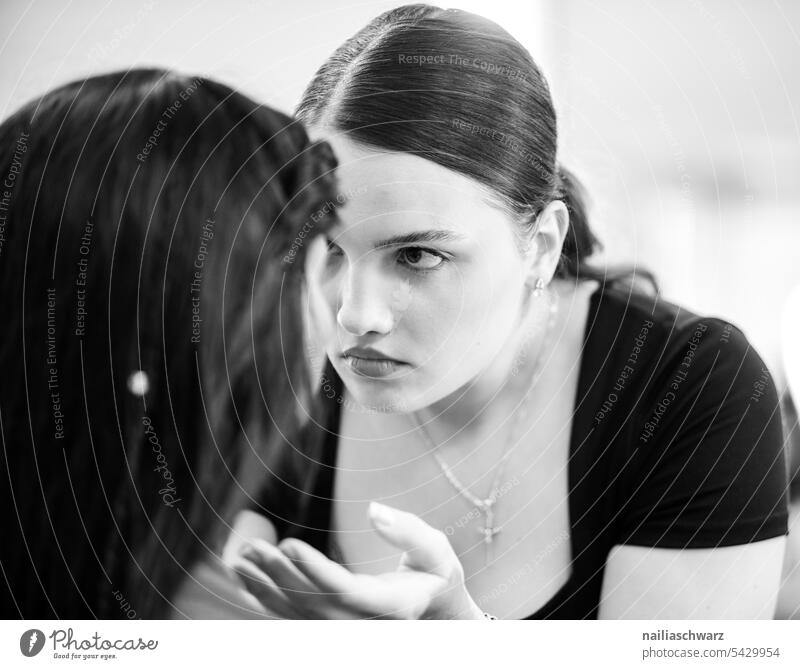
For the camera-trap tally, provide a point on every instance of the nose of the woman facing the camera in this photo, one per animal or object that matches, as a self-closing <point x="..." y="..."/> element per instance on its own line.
<point x="365" y="304"/>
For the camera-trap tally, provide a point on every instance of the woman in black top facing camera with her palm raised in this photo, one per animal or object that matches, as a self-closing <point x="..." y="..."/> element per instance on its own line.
<point x="550" y="441"/>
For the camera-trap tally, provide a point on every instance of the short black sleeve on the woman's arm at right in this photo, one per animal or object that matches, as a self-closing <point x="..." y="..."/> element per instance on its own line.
<point x="708" y="460"/>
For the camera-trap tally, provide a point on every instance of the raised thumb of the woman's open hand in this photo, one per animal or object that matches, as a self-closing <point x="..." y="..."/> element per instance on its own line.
<point x="426" y="548"/>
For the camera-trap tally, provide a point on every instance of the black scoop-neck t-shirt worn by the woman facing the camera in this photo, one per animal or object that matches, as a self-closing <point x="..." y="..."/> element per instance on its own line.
<point x="676" y="442"/>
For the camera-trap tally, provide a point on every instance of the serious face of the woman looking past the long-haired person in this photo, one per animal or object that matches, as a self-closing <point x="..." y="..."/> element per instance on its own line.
<point x="422" y="279"/>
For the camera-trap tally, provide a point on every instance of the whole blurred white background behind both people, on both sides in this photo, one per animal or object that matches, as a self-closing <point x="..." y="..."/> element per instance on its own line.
<point x="681" y="117"/>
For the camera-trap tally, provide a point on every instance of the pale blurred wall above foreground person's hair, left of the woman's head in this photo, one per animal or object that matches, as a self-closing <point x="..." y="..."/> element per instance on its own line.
<point x="268" y="49"/>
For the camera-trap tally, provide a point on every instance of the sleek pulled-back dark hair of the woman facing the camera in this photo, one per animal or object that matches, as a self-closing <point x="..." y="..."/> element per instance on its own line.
<point x="456" y="89"/>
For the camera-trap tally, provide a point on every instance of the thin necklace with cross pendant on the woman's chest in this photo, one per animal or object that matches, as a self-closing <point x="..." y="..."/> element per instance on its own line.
<point x="486" y="505"/>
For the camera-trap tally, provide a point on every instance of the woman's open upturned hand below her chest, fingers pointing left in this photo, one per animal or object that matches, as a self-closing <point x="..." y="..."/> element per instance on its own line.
<point x="296" y="581"/>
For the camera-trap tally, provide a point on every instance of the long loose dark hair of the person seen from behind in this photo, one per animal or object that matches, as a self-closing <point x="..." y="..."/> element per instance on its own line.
<point x="147" y="219"/>
